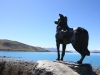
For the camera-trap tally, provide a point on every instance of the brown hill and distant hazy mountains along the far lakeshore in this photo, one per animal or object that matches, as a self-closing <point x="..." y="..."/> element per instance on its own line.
<point x="9" y="45"/>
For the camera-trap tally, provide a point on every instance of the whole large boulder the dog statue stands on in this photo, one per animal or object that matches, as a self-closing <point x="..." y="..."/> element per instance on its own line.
<point x="45" y="67"/>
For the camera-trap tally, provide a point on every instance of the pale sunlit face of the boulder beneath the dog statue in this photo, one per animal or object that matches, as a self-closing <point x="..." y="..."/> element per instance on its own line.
<point x="45" y="67"/>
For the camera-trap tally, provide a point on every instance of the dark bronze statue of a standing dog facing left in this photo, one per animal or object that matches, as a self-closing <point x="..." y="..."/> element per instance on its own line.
<point x="78" y="37"/>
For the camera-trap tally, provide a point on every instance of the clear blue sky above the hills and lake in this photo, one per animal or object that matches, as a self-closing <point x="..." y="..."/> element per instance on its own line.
<point x="32" y="21"/>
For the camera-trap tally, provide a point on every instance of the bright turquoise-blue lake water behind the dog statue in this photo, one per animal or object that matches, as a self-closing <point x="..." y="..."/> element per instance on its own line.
<point x="93" y="59"/>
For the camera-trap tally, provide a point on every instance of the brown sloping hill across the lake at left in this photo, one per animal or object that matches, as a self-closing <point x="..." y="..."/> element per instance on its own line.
<point x="8" y="45"/>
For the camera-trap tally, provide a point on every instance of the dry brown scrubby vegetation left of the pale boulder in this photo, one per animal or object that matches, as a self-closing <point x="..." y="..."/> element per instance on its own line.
<point x="15" y="67"/>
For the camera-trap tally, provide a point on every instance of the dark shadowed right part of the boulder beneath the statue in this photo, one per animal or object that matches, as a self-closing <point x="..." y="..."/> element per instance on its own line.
<point x="79" y="68"/>
